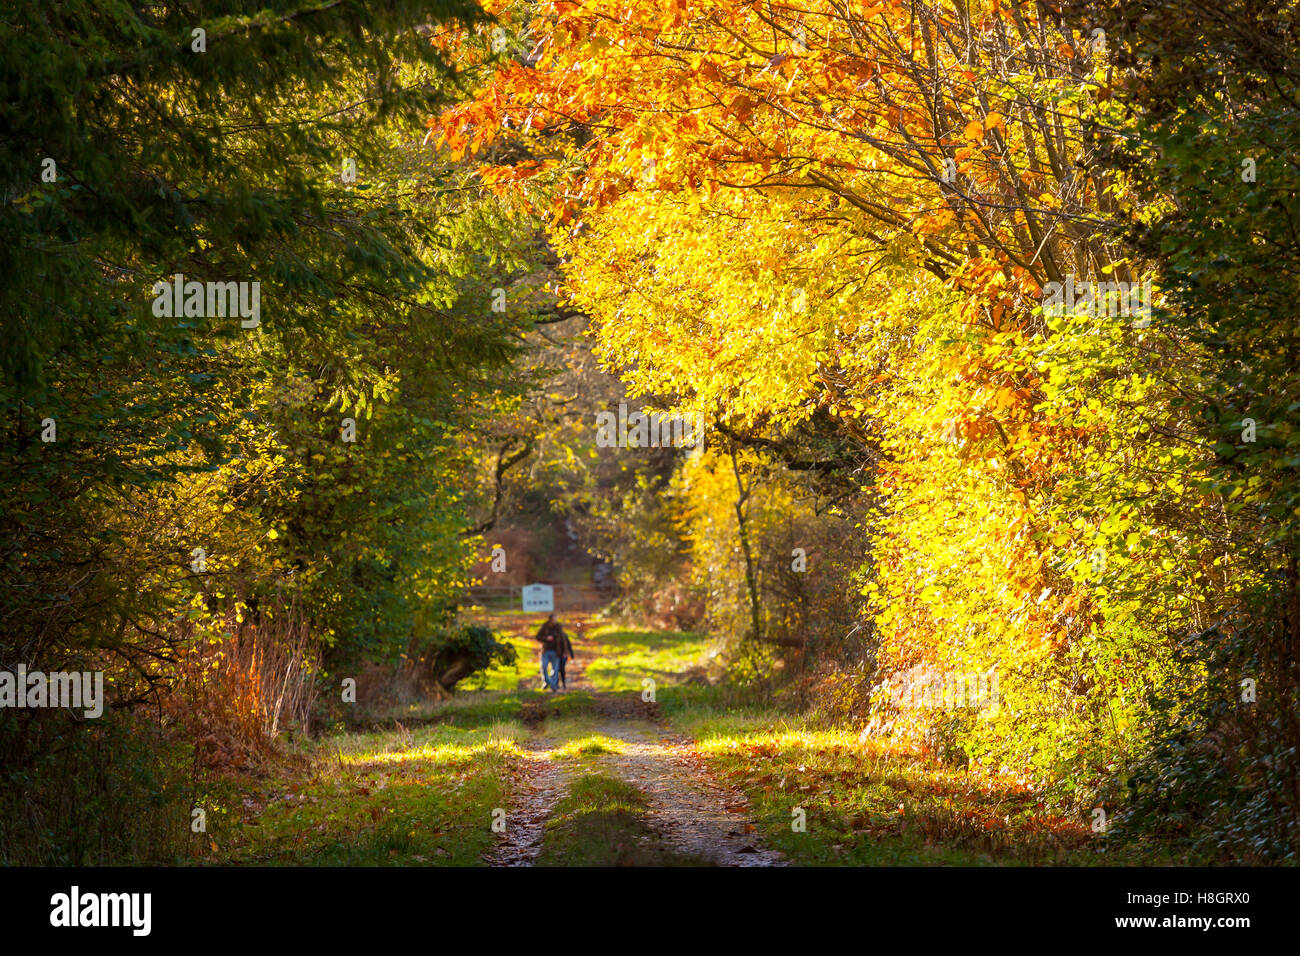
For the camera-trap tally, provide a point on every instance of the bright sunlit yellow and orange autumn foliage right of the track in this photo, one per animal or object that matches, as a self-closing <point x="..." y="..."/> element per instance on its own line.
<point x="783" y="214"/>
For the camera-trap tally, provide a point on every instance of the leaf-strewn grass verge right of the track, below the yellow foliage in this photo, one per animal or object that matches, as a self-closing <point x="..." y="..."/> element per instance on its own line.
<point x="869" y="804"/>
